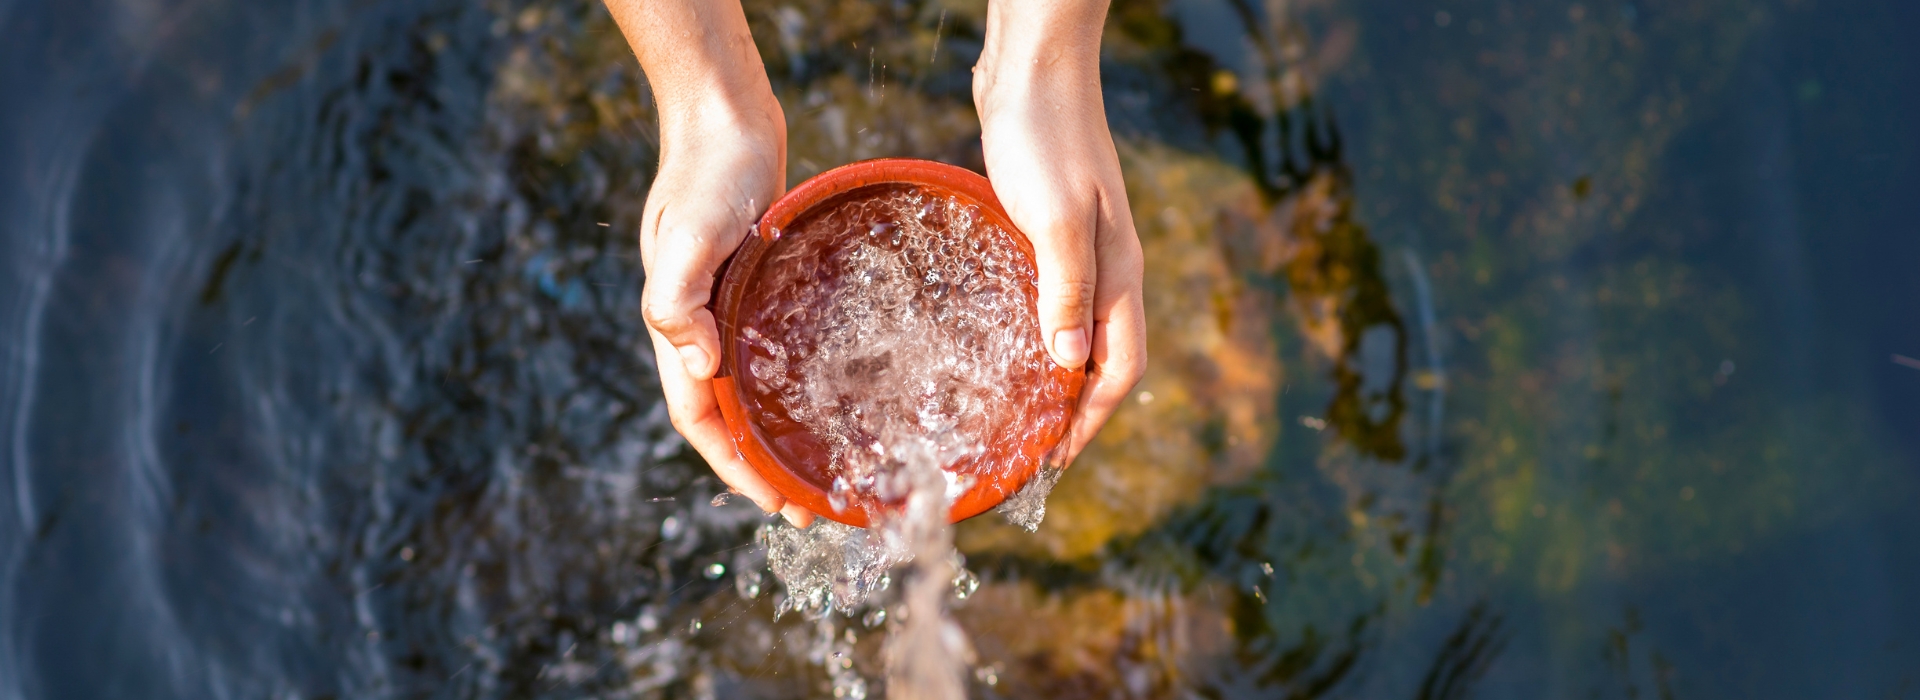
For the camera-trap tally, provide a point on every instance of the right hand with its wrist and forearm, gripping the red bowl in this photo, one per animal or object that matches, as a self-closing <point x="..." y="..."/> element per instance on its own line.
<point x="1053" y="164"/>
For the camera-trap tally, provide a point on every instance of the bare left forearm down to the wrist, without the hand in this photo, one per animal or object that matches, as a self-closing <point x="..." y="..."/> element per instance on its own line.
<point x="702" y="66"/>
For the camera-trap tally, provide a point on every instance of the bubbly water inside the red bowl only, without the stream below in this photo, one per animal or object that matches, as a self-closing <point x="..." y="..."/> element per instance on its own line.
<point x="917" y="329"/>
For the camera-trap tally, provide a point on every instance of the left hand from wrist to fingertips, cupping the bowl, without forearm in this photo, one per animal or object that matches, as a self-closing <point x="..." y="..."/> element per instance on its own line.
<point x="715" y="181"/>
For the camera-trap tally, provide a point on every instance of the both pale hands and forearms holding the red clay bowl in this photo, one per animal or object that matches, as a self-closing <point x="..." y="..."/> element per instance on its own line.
<point x="725" y="160"/>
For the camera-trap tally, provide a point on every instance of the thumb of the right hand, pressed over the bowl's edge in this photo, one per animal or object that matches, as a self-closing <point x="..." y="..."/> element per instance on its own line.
<point x="1065" y="260"/>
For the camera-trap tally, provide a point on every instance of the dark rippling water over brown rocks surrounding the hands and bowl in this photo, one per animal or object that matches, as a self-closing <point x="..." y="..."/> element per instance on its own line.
<point x="1502" y="350"/>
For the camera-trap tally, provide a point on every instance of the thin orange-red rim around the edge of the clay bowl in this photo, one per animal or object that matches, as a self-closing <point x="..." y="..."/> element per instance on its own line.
<point x="742" y="268"/>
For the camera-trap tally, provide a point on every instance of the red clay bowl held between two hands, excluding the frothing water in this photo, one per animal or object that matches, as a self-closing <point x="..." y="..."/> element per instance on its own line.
<point x="798" y="469"/>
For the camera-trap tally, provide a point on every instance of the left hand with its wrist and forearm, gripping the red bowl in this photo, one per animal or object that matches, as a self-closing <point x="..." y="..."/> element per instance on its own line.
<point x="723" y="164"/>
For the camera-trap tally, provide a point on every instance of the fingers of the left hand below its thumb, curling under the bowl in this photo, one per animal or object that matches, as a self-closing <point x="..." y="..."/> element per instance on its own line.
<point x="696" y="415"/>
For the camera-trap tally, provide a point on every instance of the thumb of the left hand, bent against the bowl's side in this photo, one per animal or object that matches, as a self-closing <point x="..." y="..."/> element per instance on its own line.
<point x="681" y="281"/>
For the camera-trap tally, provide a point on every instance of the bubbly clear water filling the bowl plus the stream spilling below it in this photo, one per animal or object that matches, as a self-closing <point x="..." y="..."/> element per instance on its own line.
<point x="905" y="352"/>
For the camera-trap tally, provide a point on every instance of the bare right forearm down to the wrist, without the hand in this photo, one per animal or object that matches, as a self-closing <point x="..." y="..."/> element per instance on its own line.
<point x="1042" y="53"/>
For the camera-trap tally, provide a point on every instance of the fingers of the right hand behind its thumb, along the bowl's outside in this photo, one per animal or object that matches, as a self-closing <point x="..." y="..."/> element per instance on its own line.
<point x="1120" y="335"/>
